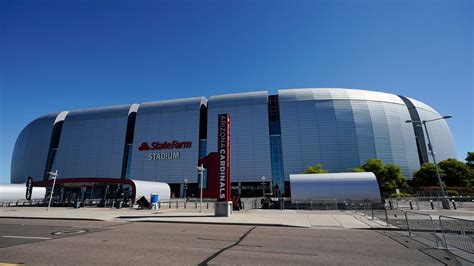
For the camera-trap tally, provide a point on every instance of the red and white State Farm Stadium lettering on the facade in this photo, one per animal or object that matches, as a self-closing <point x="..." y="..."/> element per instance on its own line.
<point x="167" y="147"/>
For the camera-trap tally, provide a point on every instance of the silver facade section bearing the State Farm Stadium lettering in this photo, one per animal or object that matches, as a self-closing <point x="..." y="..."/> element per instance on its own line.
<point x="167" y="121"/>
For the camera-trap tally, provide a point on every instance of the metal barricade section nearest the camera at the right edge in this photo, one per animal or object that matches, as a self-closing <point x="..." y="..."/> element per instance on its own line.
<point x="458" y="233"/>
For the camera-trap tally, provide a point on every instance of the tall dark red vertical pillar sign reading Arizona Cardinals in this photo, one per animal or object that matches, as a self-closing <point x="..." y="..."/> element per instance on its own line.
<point x="224" y="203"/>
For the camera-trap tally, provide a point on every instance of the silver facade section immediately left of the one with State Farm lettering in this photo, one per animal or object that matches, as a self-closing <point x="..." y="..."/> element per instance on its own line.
<point x="92" y="143"/>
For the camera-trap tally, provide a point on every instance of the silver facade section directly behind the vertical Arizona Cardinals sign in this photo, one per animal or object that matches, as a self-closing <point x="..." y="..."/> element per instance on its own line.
<point x="250" y="141"/>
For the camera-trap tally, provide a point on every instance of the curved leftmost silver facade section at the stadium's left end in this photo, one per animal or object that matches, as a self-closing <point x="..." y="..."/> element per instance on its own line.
<point x="31" y="150"/>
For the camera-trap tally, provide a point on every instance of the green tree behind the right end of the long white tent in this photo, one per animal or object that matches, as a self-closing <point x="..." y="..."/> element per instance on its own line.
<point x="389" y="176"/>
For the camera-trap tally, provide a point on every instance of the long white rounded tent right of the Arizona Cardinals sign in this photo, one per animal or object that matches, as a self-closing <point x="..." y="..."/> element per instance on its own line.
<point x="340" y="187"/>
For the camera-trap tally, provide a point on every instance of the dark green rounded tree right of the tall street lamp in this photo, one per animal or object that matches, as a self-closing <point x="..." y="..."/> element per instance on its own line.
<point x="456" y="172"/>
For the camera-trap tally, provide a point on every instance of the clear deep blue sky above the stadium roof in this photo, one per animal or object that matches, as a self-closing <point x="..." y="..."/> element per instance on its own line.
<point x="66" y="55"/>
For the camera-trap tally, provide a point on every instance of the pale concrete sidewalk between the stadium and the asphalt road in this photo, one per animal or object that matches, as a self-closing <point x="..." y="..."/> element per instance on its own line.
<point x="291" y="218"/>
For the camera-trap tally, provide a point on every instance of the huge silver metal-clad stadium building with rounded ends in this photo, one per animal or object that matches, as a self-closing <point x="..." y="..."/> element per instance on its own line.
<point x="272" y="136"/>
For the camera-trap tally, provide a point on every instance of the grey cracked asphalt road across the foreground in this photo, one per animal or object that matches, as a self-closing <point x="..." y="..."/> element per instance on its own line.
<point x="37" y="242"/>
